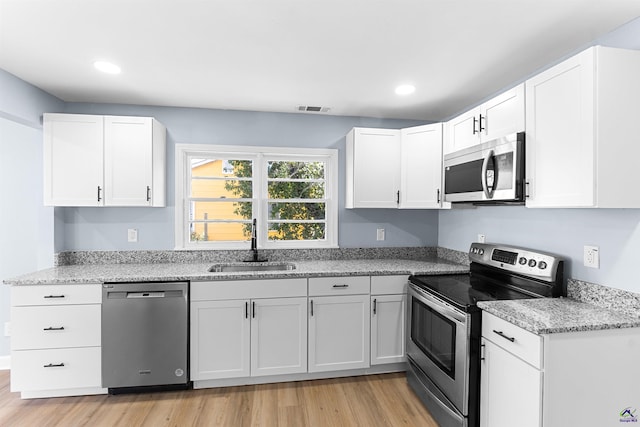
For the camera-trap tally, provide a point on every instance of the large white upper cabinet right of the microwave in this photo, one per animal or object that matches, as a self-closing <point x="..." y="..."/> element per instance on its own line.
<point x="581" y="130"/>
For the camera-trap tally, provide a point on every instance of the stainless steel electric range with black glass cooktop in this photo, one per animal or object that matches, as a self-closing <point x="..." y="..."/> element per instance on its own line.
<point x="444" y="323"/>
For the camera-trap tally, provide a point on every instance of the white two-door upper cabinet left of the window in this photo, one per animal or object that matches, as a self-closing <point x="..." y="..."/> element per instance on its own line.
<point x="103" y="161"/>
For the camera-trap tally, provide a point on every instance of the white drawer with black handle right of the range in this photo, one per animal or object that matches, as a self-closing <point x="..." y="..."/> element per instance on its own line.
<point x="521" y="343"/>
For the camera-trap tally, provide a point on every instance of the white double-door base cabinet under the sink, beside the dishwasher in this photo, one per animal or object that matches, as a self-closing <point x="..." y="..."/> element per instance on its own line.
<point x="233" y="338"/>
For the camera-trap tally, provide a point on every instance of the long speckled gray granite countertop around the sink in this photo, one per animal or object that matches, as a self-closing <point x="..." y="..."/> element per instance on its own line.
<point x="98" y="273"/>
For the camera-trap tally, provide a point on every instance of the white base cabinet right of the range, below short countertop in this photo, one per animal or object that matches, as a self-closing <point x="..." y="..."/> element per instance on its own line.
<point x="558" y="379"/>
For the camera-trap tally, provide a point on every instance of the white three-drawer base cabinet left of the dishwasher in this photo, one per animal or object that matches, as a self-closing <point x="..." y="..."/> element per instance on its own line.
<point x="56" y="340"/>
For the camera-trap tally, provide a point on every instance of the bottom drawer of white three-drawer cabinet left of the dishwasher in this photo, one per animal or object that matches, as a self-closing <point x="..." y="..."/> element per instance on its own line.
<point x="33" y="370"/>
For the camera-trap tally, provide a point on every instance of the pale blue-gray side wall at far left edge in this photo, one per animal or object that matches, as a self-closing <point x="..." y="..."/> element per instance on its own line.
<point x="26" y="227"/>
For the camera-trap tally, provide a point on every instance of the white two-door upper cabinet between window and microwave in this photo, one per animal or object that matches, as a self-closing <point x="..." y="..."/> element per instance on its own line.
<point x="394" y="168"/>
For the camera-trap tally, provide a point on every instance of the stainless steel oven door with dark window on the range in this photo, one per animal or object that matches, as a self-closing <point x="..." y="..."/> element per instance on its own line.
<point x="438" y="343"/>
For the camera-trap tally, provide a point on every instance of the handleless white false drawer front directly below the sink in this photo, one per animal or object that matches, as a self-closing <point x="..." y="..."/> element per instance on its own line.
<point x="247" y="289"/>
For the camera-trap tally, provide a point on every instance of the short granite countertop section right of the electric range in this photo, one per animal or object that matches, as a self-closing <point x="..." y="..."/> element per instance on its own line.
<point x="556" y="315"/>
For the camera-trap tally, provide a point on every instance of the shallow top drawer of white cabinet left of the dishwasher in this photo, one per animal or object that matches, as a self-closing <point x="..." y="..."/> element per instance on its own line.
<point x="56" y="294"/>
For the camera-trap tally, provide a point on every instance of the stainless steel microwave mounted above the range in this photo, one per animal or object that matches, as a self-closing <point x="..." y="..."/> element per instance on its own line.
<point x="492" y="172"/>
